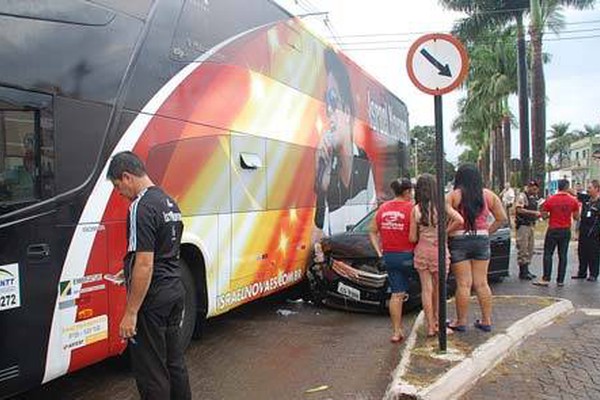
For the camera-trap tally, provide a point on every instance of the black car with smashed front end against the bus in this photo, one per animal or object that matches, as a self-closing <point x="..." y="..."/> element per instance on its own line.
<point x="347" y="272"/>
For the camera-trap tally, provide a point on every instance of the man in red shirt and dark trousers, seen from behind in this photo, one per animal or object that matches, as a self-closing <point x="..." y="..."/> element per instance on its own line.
<point x="561" y="208"/>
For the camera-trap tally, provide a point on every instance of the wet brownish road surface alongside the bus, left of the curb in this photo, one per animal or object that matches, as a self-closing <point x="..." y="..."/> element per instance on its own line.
<point x="274" y="349"/>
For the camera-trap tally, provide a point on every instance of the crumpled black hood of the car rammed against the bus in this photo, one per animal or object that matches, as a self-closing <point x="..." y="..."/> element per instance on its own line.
<point x="355" y="248"/>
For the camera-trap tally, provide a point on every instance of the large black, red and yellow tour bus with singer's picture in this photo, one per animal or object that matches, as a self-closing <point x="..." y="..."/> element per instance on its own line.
<point x="267" y="137"/>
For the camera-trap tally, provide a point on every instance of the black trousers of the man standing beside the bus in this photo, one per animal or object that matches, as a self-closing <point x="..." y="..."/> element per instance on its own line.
<point x="157" y="355"/>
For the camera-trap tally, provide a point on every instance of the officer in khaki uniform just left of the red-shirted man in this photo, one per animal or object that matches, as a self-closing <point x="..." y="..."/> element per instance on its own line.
<point x="526" y="215"/>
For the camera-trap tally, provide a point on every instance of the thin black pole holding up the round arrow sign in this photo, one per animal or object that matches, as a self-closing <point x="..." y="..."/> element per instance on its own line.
<point x="441" y="211"/>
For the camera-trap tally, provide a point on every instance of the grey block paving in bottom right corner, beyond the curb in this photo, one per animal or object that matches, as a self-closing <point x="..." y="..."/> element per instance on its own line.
<point x="561" y="362"/>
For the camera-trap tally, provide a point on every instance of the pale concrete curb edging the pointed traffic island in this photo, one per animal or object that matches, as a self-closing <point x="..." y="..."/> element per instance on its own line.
<point x="483" y="359"/>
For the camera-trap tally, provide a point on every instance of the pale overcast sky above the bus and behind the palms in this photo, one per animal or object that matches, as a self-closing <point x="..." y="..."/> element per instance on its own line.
<point x="572" y="76"/>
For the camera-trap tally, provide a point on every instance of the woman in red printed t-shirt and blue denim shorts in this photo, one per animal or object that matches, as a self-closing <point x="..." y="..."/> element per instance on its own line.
<point x="389" y="236"/>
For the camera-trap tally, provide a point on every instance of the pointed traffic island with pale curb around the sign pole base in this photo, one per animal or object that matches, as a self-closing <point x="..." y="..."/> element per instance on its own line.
<point x="425" y="374"/>
